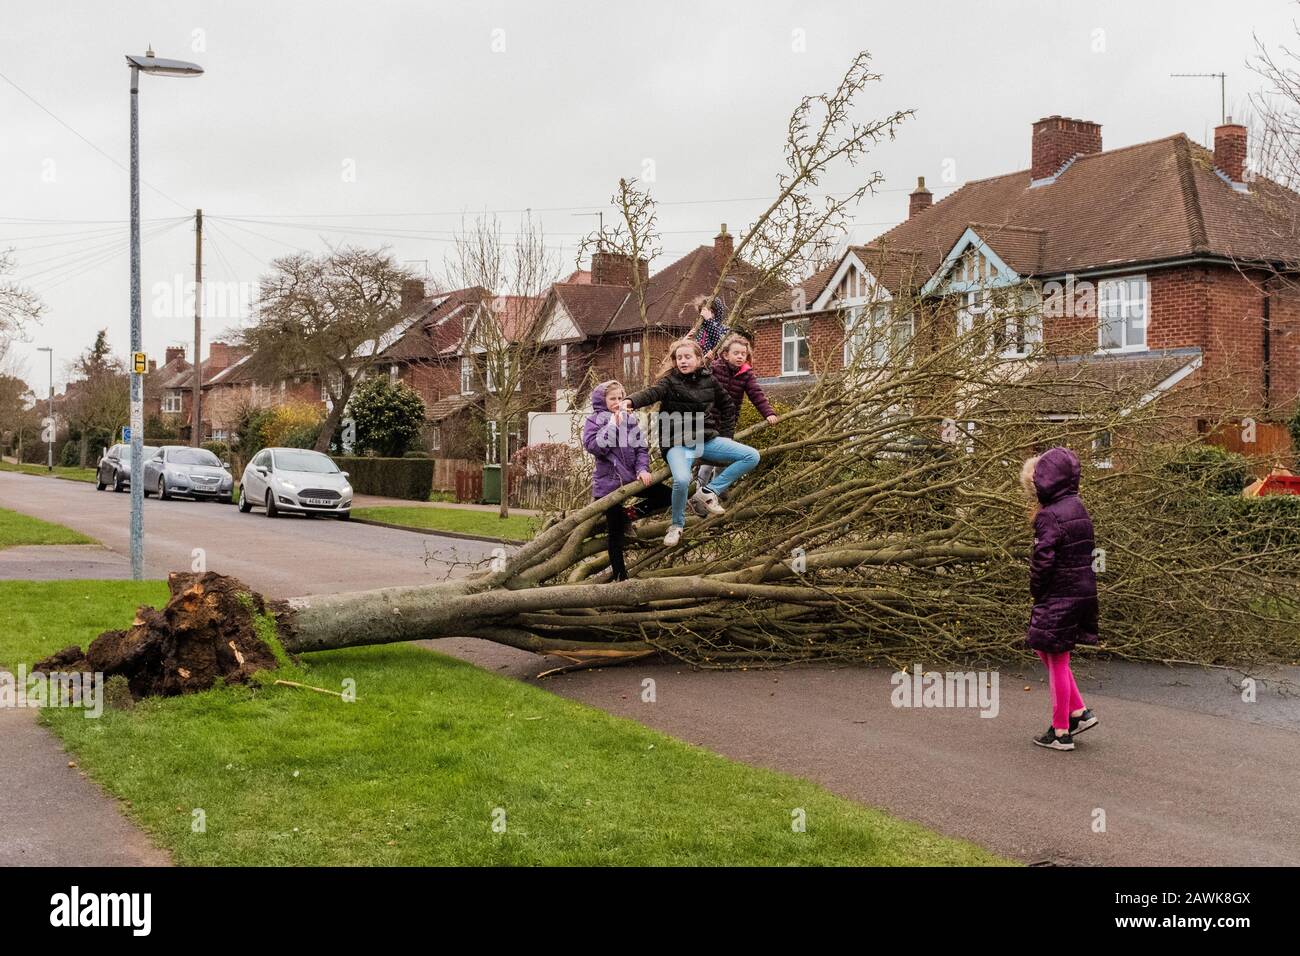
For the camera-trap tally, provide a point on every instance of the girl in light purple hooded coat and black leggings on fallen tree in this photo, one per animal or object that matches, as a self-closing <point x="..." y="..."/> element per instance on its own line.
<point x="622" y="456"/>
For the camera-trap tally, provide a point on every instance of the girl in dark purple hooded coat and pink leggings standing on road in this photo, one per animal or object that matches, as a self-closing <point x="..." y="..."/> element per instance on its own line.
<point x="1063" y="585"/>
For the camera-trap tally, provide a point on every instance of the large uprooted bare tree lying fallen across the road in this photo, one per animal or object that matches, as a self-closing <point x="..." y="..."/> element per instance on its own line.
<point x="885" y="524"/>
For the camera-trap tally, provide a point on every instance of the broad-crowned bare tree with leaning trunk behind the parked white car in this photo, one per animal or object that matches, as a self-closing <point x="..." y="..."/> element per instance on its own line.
<point x="330" y="317"/>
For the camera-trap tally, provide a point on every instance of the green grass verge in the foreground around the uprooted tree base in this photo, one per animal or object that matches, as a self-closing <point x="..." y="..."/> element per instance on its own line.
<point x="414" y="772"/>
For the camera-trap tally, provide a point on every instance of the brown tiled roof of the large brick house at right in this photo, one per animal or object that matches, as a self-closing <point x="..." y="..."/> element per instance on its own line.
<point x="1138" y="205"/>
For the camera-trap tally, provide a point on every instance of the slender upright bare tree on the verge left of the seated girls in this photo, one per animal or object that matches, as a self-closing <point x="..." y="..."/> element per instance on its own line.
<point x="512" y="338"/>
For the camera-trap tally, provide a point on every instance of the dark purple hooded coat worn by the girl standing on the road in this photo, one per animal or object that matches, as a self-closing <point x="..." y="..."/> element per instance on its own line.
<point x="1061" y="578"/>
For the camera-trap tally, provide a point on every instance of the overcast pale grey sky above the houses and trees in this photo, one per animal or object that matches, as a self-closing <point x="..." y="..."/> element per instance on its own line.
<point x="447" y="109"/>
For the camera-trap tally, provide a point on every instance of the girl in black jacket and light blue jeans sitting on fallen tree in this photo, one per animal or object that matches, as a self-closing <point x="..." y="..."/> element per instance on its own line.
<point x="692" y="408"/>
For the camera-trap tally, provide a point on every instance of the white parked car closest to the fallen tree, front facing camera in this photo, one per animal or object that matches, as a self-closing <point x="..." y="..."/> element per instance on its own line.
<point x="298" y="482"/>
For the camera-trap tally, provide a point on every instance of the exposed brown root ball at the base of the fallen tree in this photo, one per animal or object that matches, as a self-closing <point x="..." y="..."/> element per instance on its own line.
<point x="205" y="633"/>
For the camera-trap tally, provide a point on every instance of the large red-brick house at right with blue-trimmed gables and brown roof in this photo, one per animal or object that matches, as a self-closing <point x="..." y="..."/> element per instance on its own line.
<point x="1163" y="261"/>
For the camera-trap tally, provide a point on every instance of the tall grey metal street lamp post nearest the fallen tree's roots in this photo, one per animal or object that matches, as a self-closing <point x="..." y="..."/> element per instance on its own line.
<point x="164" y="68"/>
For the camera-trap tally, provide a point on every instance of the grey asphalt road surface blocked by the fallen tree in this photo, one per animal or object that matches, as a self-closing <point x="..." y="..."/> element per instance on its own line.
<point x="1181" y="769"/>
